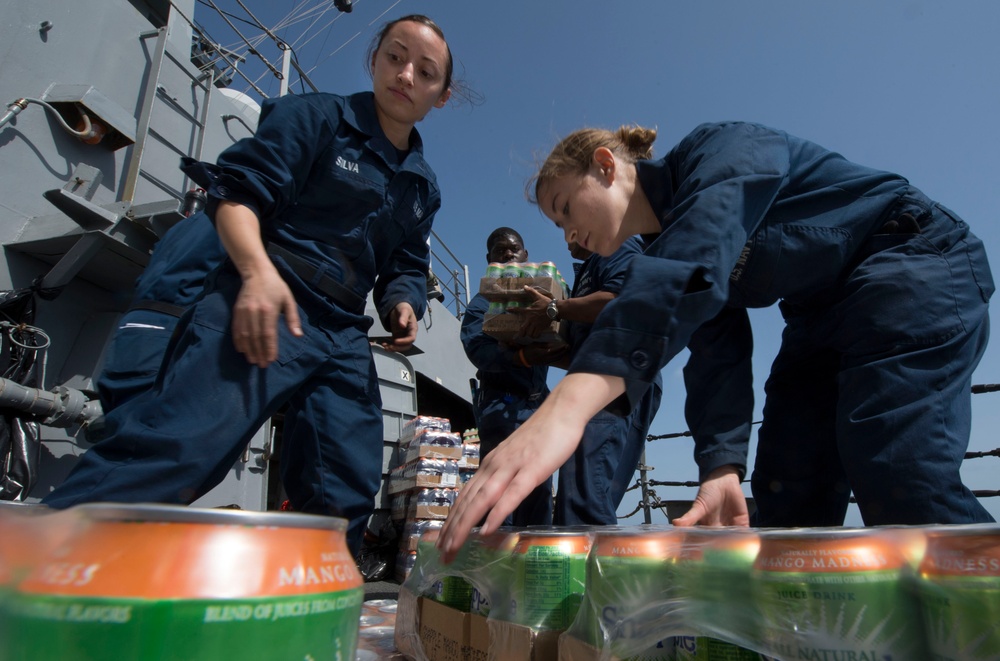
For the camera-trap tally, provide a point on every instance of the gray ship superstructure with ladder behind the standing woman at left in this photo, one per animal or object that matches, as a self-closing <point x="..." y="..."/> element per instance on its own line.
<point x="83" y="218"/>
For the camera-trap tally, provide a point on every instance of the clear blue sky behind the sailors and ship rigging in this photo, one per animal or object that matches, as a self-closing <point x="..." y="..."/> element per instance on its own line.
<point x="911" y="86"/>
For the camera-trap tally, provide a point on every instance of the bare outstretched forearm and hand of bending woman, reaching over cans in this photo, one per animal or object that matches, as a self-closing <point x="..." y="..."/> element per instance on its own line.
<point x="528" y="457"/>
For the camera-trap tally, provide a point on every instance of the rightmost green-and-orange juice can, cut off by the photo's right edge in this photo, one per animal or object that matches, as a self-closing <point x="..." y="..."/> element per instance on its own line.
<point x="959" y="588"/>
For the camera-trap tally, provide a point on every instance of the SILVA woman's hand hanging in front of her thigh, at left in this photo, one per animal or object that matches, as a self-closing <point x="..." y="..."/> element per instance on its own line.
<point x="262" y="299"/>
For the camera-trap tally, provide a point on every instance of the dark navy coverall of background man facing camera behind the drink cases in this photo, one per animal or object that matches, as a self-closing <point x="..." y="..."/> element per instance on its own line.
<point x="507" y="396"/>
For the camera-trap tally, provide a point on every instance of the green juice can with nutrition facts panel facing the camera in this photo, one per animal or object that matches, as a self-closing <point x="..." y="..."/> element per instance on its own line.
<point x="550" y="570"/>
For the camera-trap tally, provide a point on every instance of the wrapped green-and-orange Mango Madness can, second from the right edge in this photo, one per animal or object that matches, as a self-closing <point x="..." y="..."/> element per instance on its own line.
<point x="835" y="594"/>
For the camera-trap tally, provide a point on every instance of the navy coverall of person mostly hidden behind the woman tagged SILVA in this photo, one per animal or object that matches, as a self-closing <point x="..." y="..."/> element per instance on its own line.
<point x="171" y="282"/>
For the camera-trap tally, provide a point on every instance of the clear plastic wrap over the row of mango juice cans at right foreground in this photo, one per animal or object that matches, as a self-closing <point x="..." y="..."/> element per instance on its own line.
<point x="662" y="593"/>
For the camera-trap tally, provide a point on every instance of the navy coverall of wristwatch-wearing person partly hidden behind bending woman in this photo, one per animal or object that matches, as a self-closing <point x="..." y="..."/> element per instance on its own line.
<point x="592" y="482"/>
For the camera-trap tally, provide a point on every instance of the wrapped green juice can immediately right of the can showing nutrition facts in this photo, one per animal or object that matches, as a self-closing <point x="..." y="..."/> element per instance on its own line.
<point x="632" y="591"/>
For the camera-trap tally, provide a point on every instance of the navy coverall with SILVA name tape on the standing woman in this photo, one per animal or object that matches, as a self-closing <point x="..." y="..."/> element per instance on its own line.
<point x="331" y="190"/>
